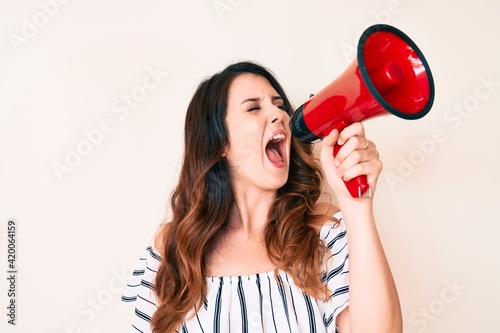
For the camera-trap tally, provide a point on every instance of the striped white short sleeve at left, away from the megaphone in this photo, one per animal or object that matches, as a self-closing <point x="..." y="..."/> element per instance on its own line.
<point x="139" y="291"/>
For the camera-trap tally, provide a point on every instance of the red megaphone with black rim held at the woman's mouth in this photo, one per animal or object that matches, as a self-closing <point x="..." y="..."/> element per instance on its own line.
<point x="389" y="76"/>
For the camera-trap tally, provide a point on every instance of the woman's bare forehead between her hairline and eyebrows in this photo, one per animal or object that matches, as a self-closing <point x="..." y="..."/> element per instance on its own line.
<point x="249" y="85"/>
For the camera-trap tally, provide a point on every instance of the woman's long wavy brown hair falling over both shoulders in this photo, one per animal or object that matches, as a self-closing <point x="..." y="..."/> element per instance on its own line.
<point x="202" y="200"/>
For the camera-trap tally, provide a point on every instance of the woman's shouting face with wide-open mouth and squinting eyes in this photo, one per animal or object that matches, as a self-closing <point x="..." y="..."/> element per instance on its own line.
<point x="259" y="134"/>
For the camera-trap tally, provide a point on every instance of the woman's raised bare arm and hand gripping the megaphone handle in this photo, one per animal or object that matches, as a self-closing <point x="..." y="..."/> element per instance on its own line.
<point x="373" y="299"/>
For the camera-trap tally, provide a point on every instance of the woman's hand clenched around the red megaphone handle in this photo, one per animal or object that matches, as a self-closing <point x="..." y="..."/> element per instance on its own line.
<point x="357" y="156"/>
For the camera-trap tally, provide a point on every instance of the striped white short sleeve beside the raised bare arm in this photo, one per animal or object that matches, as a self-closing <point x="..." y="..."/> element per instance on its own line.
<point x="336" y="270"/>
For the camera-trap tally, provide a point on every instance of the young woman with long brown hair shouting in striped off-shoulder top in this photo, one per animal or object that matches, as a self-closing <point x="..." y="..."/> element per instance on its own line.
<point x="249" y="248"/>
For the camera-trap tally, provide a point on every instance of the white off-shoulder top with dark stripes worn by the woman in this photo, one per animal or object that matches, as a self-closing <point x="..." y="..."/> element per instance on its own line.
<point x="253" y="303"/>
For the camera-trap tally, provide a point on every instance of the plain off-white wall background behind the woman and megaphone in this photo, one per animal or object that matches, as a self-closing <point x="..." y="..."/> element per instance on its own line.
<point x="66" y="67"/>
